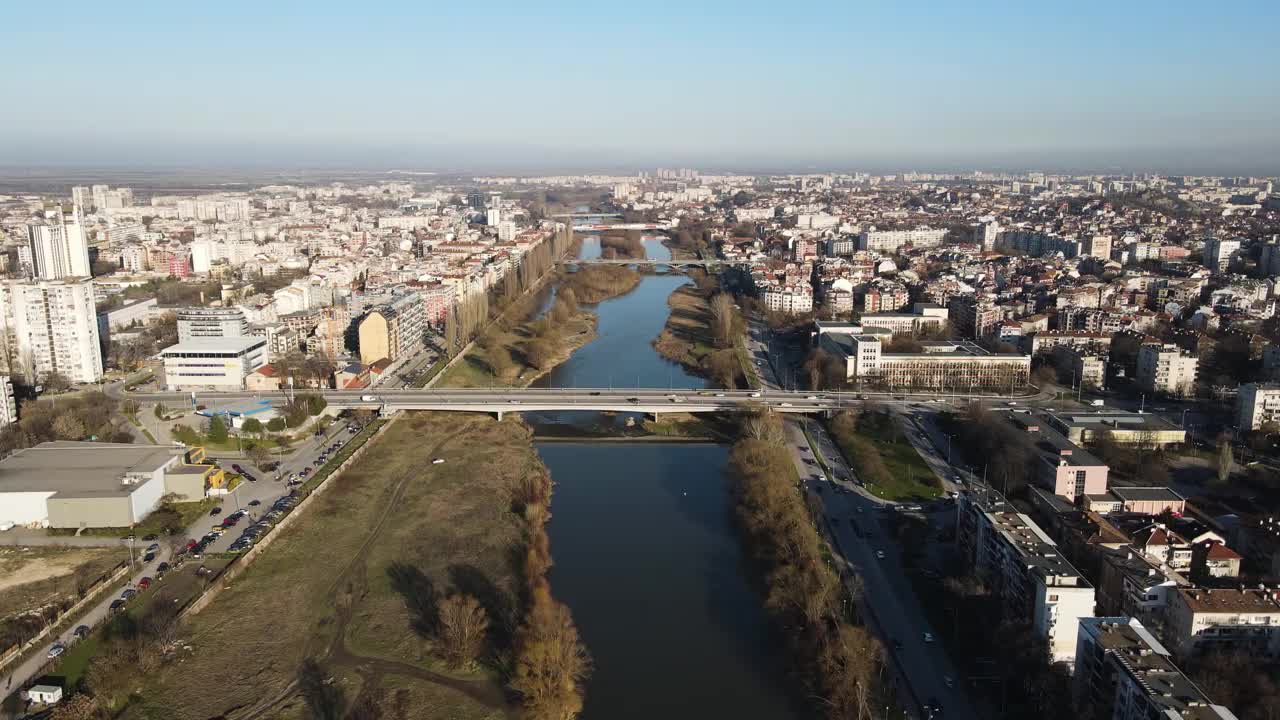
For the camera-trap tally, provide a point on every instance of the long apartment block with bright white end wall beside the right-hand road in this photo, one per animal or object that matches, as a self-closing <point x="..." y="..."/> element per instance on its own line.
<point x="1026" y="567"/>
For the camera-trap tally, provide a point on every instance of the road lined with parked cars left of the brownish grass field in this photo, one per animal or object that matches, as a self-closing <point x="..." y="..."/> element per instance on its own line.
<point x="266" y="491"/>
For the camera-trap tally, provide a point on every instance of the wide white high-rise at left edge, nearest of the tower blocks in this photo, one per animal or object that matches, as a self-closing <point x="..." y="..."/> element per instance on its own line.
<point x="54" y="326"/>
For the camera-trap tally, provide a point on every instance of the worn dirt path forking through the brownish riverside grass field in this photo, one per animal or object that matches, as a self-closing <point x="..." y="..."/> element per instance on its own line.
<point x="346" y="591"/>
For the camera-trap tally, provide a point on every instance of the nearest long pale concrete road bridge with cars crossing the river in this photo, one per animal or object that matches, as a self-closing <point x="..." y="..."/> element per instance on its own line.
<point x="525" y="400"/>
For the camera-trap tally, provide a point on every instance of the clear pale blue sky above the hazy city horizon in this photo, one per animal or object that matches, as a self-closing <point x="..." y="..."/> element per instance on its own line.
<point x="1126" y="85"/>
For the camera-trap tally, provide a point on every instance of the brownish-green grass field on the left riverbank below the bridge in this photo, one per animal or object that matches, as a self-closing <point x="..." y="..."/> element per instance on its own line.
<point x="324" y="589"/>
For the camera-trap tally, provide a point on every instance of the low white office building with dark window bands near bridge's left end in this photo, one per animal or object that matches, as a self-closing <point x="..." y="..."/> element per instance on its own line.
<point x="213" y="363"/>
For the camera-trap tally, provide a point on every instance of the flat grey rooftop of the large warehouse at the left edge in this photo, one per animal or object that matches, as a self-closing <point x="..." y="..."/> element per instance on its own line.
<point x="81" y="470"/>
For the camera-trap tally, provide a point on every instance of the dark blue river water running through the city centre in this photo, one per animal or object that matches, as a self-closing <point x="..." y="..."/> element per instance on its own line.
<point x="646" y="550"/>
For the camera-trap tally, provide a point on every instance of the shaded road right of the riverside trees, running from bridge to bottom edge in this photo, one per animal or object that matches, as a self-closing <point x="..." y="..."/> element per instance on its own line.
<point x="857" y="525"/>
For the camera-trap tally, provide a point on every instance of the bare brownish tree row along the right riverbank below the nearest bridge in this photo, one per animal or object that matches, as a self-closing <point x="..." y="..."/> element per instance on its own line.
<point x="838" y="659"/>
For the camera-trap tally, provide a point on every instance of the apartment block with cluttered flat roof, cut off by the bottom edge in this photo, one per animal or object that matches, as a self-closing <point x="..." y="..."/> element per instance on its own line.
<point x="1123" y="673"/>
